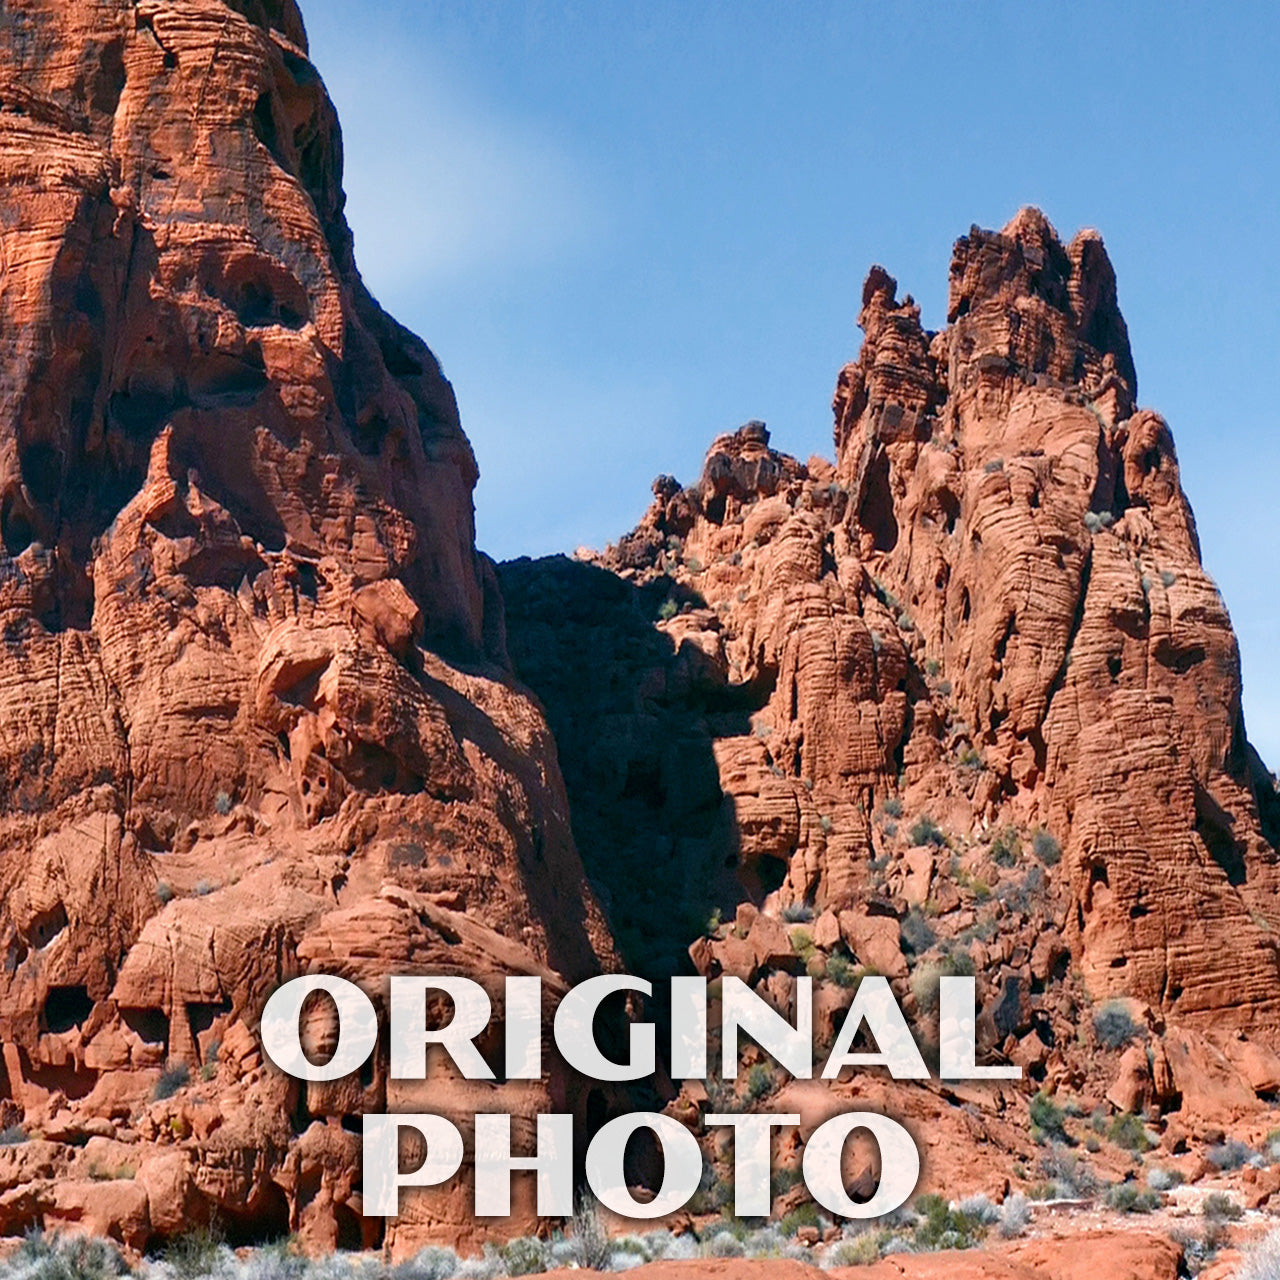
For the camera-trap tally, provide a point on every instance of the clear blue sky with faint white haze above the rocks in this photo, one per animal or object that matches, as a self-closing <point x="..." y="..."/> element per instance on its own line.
<point x="628" y="227"/>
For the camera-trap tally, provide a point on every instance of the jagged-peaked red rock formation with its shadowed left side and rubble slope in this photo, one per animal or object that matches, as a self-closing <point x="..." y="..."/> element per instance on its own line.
<point x="964" y="701"/>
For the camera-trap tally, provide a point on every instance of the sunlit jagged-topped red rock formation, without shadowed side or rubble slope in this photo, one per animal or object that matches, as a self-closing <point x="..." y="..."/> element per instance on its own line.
<point x="1002" y="573"/>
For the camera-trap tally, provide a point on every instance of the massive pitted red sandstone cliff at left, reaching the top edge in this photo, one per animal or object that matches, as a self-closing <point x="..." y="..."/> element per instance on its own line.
<point x="239" y="587"/>
